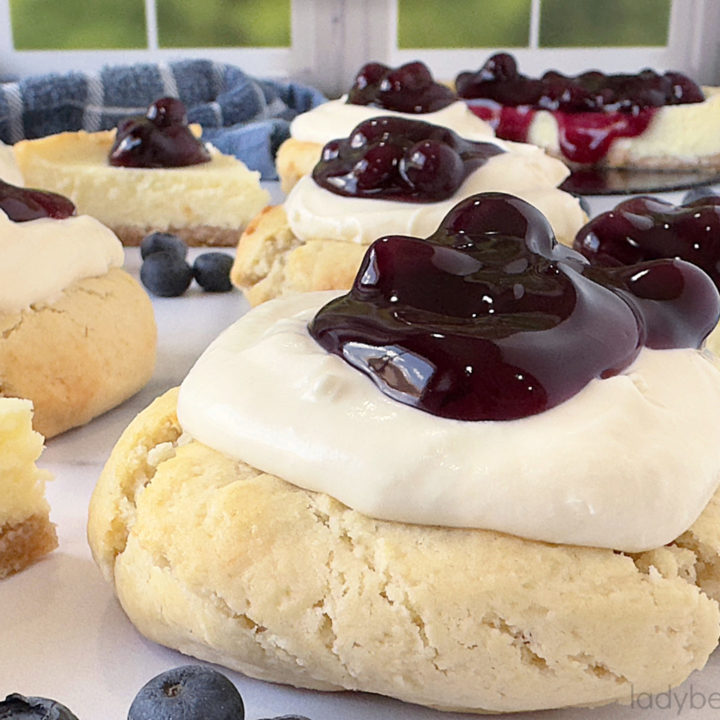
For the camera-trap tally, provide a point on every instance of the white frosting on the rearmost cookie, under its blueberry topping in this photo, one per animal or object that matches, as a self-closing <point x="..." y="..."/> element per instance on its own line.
<point x="337" y="119"/>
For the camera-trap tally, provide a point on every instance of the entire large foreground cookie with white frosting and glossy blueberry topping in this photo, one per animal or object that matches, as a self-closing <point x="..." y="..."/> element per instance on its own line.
<point x="408" y="493"/>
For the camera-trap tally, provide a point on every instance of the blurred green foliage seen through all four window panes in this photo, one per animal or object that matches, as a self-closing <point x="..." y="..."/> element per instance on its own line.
<point x="91" y="24"/>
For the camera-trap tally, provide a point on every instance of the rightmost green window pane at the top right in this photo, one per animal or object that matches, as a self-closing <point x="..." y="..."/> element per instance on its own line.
<point x="583" y="23"/>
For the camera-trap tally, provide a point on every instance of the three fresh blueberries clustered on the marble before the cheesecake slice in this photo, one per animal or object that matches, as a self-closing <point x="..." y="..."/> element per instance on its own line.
<point x="165" y="271"/>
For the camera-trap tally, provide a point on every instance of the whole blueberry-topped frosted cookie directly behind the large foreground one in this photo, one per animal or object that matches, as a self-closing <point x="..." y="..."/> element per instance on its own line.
<point x="391" y="175"/>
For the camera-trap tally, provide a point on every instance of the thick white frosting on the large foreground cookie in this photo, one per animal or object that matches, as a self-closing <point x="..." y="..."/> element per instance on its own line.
<point x="628" y="463"/>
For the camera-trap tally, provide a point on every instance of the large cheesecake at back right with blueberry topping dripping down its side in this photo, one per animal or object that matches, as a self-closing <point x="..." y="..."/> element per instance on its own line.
<point x="644" y="120"/>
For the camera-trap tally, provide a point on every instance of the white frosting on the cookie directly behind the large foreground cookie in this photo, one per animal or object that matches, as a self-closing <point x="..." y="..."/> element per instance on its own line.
<point x="525" y="171"/>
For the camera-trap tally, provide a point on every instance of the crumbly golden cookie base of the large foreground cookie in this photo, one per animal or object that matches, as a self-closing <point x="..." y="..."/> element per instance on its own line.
<point x="221" y="561"/>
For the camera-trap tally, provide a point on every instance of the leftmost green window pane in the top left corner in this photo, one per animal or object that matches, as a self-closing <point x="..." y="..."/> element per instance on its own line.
<point x="78" y="24"/>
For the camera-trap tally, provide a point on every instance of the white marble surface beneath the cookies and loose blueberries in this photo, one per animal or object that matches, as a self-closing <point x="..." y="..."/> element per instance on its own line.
<point x="63" y="635"/>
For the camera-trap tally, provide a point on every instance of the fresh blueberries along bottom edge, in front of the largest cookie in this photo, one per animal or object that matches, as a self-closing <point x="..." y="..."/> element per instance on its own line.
<point x="189" y="692"/>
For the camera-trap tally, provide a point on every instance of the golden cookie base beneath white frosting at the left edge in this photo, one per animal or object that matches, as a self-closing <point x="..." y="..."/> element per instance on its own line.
<point x="81" y="355"/>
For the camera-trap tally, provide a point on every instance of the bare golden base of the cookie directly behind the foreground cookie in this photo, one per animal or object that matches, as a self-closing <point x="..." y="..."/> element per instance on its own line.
<point x="270" y="261"/>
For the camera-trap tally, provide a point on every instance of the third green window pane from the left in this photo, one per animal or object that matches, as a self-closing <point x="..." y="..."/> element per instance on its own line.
<point x="455" y="24"/>
